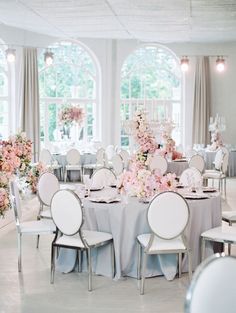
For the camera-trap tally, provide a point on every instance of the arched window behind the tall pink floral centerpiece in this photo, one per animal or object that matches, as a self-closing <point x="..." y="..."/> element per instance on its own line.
<point x="151" y="80"/>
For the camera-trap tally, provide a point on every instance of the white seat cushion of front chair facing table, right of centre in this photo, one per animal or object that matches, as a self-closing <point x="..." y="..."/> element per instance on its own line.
<point x="161" y="244"/>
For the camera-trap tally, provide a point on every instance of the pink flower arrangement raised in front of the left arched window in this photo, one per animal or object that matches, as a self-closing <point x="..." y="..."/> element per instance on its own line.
<point x="71" y="114"/>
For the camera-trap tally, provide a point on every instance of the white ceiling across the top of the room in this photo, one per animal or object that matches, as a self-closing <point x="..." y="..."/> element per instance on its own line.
<point x="163" y="21"/>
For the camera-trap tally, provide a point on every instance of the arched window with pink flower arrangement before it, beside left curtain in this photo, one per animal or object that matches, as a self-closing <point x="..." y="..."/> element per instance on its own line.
<point x="71" y="81"/>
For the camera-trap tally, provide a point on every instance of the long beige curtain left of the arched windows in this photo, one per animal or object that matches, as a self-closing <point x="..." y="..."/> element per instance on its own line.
<point x="30" y="98"/>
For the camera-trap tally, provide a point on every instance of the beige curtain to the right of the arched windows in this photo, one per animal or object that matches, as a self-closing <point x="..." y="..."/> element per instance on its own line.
<point x="201" y="109"/>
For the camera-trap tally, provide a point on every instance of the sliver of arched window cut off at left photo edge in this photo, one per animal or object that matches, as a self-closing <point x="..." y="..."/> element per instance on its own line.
<point x="4" y="96"/>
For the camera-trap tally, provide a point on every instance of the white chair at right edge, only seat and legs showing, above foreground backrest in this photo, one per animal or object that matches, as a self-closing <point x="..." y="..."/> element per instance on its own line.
<point x="223" y="234"/>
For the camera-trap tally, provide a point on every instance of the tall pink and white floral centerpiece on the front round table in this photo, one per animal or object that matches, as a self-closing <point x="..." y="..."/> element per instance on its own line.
<point x="139" y="180"/>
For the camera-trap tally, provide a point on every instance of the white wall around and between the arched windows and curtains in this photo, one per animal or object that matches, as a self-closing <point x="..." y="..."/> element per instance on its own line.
<point x="111" y="55"/>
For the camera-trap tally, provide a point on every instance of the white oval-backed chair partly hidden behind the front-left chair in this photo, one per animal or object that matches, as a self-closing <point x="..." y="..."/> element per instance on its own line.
<point x="48" y="184"/>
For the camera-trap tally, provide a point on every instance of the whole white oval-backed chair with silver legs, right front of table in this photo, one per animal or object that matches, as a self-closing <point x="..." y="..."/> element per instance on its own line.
<point x="167" y="216"/>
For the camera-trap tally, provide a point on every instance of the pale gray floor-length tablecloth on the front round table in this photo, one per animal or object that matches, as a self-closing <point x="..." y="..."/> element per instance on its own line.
<point x="125" y="222"/>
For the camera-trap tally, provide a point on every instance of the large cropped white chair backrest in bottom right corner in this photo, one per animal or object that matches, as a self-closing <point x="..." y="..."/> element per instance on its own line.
<point x="212" y="288"/>
